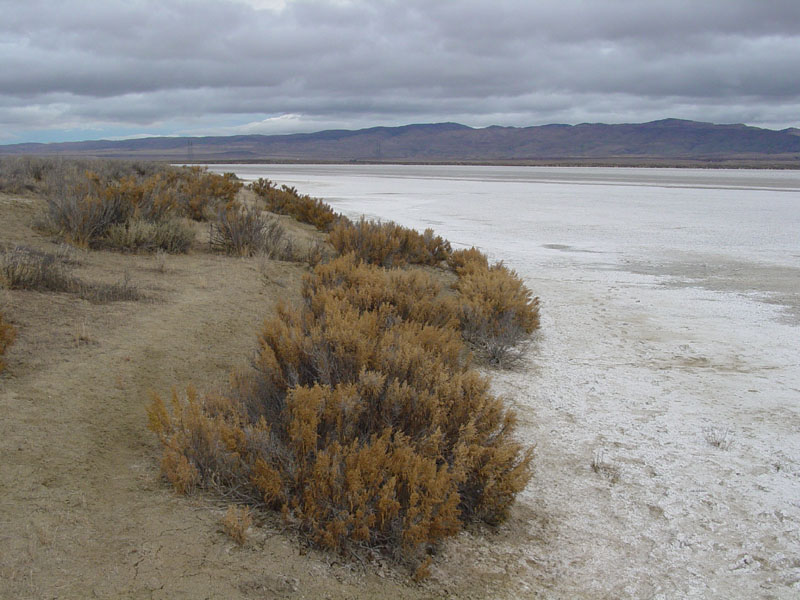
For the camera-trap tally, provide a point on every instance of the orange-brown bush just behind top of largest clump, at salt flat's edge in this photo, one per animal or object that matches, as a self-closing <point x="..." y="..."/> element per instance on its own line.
<point x="388" y="244"/>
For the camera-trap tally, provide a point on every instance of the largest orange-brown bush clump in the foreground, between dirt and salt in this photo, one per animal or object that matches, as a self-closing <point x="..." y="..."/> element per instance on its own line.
<point x="363" y="423"/>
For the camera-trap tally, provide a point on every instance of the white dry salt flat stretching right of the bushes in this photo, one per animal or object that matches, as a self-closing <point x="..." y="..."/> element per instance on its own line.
<point x="663" y="391"/>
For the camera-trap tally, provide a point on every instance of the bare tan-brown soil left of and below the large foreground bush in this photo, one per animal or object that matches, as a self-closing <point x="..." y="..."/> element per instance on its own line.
<point x="83" y="509"/>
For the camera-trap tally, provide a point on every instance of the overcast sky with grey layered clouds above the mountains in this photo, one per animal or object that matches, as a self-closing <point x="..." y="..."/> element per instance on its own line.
<point x="74" y="70"/>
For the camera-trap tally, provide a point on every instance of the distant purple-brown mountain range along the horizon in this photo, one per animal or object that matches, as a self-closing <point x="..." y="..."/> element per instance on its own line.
<point x="658" y="142"/>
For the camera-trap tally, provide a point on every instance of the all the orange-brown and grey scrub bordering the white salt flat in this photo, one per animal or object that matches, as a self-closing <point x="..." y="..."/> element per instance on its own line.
<point x="363" y="421"/>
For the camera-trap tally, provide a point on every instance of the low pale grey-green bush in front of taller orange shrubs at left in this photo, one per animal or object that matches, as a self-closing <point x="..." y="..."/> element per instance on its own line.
<point x="137" y="235"/>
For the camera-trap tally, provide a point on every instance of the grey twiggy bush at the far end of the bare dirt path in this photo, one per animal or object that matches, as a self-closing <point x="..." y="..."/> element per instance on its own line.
<point x="247" y="232"/>
